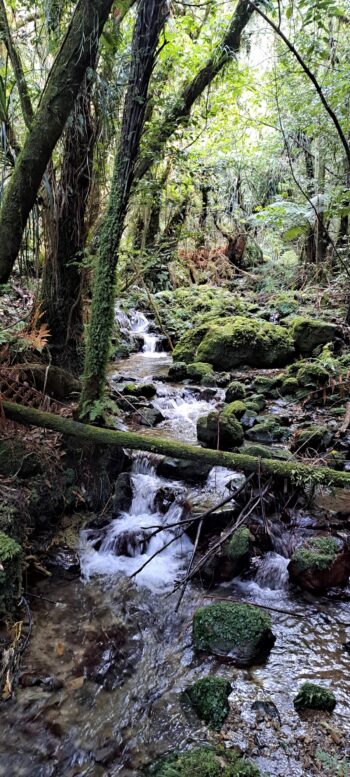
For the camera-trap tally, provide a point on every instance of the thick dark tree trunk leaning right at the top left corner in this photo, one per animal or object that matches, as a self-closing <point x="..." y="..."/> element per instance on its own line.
<point x="47" y="126"/>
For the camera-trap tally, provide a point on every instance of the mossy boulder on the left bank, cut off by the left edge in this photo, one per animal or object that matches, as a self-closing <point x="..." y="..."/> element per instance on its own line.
<point x="10" y="573"/>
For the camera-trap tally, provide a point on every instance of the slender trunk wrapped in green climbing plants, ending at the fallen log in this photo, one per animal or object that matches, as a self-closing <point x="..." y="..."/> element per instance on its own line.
<point x="150" y="20"/>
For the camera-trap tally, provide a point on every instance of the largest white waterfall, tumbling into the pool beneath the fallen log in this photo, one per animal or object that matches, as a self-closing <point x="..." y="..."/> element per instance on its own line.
<point x="129" y="541"/>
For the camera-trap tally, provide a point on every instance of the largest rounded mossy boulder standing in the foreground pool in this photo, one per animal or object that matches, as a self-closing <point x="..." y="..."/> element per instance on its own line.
<point x="238" y="632"/>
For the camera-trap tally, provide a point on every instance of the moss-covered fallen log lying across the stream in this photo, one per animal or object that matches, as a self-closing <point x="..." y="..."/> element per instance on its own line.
<point x="300" y="473"/>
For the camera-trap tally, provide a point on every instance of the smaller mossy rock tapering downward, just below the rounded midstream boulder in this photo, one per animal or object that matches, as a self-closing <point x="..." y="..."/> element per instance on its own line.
<point x="209" y="698"/>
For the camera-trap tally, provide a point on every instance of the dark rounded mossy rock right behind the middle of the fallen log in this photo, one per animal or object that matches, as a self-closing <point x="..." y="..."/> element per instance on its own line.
<point x="220" y="429"/>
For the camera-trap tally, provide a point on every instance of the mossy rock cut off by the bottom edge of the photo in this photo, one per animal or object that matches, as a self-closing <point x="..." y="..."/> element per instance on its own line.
<point x="203" y="762"/>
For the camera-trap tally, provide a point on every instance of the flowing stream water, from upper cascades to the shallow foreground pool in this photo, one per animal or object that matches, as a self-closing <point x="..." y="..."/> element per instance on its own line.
<point x="110" y="655"/>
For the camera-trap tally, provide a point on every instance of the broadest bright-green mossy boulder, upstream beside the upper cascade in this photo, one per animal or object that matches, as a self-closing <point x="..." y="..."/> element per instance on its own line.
<point x="231" y="342"/>
